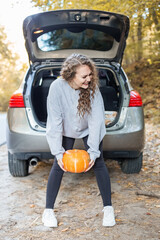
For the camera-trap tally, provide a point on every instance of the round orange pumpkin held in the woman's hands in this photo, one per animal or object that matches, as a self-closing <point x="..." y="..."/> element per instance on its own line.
<point x="76" y="161"/>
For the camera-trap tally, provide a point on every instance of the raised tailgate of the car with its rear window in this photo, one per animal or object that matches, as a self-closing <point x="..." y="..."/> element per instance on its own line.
<point x="56" y="34"/>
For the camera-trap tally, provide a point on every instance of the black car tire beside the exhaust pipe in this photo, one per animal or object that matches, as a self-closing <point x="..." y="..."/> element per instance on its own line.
<point x="17" y="168"/>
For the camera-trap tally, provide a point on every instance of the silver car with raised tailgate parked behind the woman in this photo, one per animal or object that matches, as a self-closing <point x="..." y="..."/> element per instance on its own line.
<point x="50" y="37"/>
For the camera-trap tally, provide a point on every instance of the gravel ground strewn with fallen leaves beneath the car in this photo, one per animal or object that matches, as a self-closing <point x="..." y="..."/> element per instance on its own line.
<point x="136" y="199"/>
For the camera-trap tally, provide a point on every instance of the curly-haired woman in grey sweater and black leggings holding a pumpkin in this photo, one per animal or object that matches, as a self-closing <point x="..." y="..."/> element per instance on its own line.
<point x="75" y="110"/>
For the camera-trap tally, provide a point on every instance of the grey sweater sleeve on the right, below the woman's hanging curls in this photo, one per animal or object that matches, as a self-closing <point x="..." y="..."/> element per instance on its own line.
<point x="96" y="125"/>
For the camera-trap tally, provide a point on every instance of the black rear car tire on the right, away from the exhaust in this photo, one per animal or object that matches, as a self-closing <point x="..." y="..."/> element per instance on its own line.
<point x="132" y="165"/>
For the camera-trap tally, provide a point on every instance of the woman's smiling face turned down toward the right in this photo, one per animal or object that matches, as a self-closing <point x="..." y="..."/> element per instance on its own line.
<point x="82" y="77"/>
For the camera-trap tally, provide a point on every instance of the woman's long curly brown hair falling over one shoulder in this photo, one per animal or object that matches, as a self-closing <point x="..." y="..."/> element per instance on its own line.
<point x="68" y="73"/>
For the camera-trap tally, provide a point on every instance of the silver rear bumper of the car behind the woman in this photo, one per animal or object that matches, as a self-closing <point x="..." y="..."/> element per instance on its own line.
<point x="24" y="142"/>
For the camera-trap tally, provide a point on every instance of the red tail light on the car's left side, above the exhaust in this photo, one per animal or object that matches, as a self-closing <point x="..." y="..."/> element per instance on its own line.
<point x="16" y="100"/>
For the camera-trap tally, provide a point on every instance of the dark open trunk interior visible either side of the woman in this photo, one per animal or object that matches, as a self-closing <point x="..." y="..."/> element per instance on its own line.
<point x="109" y="87"/>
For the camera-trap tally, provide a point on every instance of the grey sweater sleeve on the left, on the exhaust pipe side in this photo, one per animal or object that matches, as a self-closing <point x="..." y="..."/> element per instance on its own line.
<point x="54" y="127"/>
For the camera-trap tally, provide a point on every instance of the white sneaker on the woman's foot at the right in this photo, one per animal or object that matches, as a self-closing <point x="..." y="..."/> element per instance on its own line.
<point x="108" y="218"/>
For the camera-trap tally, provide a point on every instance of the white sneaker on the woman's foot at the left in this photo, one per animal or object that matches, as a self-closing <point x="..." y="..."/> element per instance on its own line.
<point x="48" y="218"/>
